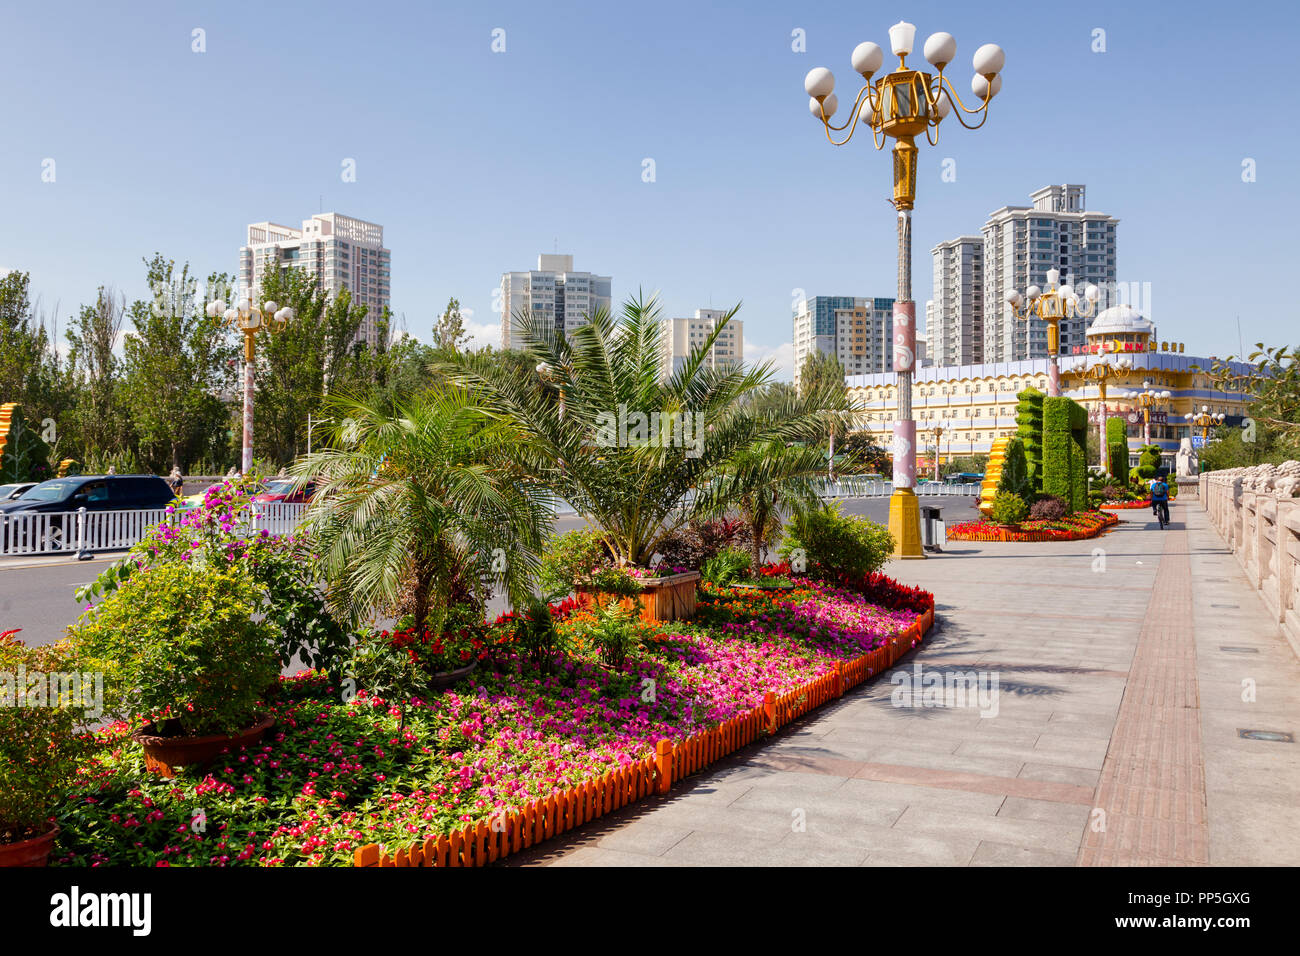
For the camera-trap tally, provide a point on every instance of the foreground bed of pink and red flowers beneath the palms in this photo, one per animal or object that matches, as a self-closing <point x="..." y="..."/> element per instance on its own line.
<point x="343" y="775"/>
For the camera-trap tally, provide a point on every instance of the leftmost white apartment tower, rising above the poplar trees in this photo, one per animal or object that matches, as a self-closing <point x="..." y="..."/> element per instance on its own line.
<point x="340" y="252"/>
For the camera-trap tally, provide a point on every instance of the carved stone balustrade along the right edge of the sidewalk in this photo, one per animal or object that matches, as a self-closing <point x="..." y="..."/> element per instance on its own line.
<point x="1258" y="513"/>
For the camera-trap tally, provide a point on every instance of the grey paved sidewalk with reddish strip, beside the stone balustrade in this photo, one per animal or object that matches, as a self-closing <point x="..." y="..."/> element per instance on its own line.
<point x="1123" y="665"/>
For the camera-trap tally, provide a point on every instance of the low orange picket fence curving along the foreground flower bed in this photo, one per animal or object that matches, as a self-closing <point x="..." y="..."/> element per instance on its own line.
<point x="486" y="842"/>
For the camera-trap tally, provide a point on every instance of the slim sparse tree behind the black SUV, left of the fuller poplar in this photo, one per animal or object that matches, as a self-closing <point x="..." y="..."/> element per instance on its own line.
<point x="99" y="416"/>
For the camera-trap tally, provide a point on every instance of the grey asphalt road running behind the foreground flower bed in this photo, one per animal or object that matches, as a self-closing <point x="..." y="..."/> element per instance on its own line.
<point x="38" y="598"/>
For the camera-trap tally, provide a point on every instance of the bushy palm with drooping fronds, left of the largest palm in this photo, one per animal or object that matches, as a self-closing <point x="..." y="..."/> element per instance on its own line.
<point x="421" y="509"/>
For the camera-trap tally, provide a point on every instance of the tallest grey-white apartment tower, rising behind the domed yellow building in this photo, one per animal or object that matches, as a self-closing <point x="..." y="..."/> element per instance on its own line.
<point x="1021" y="244"/>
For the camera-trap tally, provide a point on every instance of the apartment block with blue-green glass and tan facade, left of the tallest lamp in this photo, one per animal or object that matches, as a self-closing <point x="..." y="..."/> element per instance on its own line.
<point x="857" y="331"/>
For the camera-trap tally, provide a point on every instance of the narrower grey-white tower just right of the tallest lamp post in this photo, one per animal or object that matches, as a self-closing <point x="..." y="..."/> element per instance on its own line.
<point x="955" y="318"/>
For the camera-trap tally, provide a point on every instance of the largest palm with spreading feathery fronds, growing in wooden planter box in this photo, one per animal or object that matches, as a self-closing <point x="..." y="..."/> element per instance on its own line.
<point x="635" y="452"/>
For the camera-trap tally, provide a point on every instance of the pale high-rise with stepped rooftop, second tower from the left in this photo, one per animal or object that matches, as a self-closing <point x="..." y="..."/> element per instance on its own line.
<point x="554" y="292"/>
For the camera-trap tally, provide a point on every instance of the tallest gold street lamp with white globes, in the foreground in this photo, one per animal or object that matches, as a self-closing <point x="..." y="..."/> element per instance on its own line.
<point x="903" y="105"/>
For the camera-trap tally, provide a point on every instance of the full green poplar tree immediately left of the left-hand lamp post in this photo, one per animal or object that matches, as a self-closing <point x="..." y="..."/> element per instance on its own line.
<point x="176" y="365"/>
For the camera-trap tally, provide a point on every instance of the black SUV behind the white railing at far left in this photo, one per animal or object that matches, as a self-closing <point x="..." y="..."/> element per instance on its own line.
<point x="90" y="492"/>
